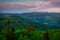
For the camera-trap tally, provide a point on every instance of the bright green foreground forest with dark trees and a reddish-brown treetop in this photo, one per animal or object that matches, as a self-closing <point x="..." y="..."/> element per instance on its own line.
<point x="9" y="32"/>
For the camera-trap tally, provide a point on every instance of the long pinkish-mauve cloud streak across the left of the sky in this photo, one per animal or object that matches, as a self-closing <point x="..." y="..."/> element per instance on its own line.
<point x="22" y="6"/>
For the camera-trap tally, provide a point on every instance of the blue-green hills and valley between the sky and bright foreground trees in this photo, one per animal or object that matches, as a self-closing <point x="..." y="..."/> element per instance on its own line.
<point x="52" y="20"/>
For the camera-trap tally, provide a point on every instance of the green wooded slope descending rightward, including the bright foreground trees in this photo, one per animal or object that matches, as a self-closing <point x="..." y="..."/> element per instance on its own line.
<point x="17" y="28"/>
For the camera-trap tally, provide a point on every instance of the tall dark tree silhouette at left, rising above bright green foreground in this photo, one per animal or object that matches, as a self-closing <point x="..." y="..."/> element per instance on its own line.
<point x="10" y="31"/>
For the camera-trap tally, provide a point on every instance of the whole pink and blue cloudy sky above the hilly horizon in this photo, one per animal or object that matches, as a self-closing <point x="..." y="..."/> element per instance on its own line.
<point x="21" y="6"/>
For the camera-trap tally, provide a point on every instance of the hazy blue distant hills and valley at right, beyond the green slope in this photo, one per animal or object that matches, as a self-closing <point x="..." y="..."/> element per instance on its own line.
<point x="50" y="18"/>
